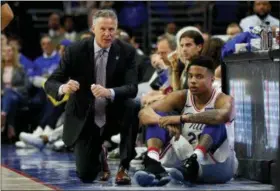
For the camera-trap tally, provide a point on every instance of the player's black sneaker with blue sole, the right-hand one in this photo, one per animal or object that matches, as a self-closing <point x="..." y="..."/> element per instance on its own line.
<point x="186" y="173"/>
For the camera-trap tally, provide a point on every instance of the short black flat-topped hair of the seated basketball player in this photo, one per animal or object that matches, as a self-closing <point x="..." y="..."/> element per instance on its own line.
<point x="203" y="61"/>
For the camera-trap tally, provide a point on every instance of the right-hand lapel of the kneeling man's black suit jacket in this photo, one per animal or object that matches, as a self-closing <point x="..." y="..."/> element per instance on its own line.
<point x="113" y="57"/>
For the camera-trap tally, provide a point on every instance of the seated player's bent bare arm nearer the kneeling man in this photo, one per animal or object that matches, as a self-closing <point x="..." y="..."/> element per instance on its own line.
<point x="173" y="101"/>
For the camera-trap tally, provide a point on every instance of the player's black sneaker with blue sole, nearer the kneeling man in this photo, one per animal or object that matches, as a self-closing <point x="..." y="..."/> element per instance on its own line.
<point x="153" y="174"/>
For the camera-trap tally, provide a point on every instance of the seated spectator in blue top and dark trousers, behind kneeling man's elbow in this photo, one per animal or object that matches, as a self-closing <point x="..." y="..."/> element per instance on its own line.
<point x="43" y="67"/>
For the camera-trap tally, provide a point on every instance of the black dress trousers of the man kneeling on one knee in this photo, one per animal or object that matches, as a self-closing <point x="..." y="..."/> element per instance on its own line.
<point x="122" y="118"/>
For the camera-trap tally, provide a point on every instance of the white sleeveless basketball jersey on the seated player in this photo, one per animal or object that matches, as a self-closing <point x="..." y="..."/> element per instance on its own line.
<point x="192" y="131"/>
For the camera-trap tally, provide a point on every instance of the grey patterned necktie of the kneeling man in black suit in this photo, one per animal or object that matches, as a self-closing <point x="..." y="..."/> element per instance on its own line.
<point x="100" y="103"/>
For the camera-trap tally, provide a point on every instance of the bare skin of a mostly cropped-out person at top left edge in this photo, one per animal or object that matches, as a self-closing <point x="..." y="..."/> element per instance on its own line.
<point x="7" y="15"/>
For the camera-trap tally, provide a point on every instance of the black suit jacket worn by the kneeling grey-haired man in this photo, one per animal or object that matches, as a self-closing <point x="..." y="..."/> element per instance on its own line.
<point x="78" y="64"/>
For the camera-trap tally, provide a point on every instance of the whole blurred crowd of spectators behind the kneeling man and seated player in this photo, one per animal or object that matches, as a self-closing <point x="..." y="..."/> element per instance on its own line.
<point x="162" y="71"/>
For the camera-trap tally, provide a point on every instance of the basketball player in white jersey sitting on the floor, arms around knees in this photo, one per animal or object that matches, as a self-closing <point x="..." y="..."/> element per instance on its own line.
<point x="196" y="145"/>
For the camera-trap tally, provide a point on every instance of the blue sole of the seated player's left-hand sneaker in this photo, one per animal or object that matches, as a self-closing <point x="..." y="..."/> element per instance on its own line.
<point x="144" y="179"/>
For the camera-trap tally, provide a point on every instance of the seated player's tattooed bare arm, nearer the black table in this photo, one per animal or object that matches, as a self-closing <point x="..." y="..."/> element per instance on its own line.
<point x="223" y="112"/>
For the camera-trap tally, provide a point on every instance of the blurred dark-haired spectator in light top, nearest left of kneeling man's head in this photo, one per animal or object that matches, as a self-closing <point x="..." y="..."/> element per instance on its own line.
<point x="69" y="27"/>
